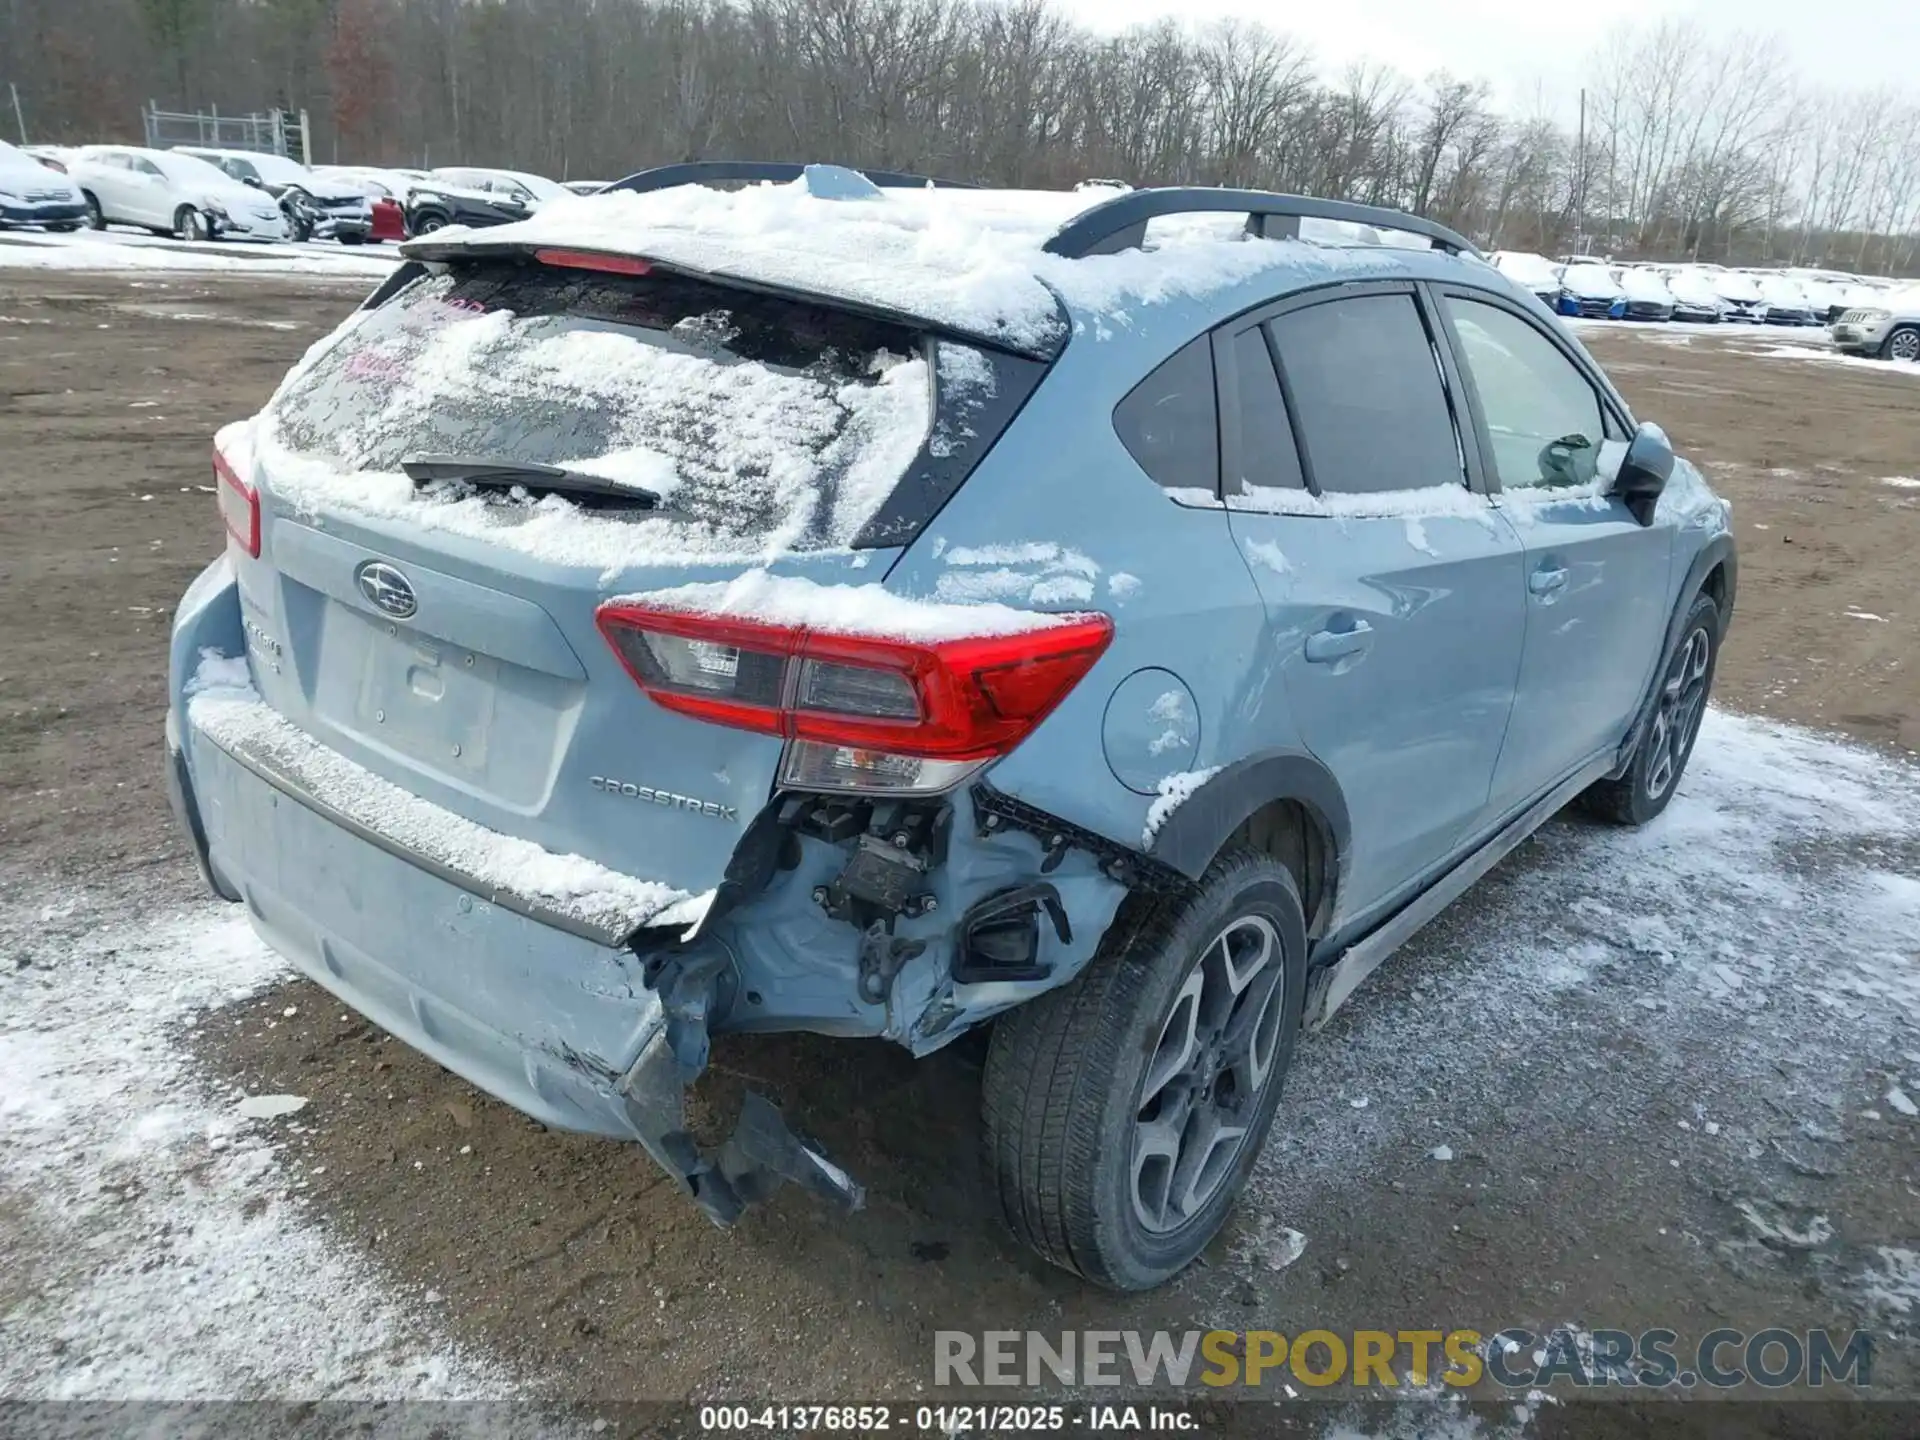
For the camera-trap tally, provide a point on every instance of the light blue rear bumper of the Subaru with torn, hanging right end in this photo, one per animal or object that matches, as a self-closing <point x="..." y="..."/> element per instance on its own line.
<point x="544" y="1009"/>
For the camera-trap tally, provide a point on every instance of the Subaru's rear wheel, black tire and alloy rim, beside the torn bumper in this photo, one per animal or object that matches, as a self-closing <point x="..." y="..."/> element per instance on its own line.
<point x="1070" y="1124"/>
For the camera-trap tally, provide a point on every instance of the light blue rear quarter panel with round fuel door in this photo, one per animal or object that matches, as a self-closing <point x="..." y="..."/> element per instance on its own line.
<point x="1061" y="517"/>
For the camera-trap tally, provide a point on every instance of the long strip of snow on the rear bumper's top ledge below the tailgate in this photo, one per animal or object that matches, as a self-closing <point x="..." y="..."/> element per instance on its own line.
<point x="235" y="717"/>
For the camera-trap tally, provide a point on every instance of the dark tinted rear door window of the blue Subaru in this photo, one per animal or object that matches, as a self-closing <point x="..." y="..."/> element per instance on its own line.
<point x="1368" y="400"/>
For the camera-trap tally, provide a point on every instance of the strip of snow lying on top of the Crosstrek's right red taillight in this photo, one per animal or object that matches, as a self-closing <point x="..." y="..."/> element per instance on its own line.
<point x="840" y="610"/>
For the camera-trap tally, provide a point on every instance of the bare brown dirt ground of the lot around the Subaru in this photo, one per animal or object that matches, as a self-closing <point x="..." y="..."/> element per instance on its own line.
<point x="575" y="1260"/>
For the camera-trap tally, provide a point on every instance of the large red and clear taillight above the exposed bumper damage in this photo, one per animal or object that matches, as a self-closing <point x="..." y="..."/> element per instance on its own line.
<point x="949" y="700"/>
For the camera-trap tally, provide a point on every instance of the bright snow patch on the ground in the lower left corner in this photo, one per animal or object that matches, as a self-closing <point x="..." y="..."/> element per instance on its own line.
<point x="156" y="1241"/>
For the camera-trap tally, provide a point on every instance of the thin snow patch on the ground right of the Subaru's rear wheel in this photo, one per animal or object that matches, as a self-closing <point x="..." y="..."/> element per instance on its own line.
<point x="1750" y="963"/>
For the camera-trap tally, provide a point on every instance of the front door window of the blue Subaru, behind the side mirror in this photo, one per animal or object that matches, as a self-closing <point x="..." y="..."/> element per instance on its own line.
<point x="1543" y="416"/>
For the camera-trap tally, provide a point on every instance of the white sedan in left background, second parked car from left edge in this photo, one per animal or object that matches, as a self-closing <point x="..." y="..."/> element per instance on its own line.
<point x="170" y="193"/>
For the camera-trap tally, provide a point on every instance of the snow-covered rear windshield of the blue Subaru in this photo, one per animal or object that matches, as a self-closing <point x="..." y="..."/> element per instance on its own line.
<point x="752" y="416"/>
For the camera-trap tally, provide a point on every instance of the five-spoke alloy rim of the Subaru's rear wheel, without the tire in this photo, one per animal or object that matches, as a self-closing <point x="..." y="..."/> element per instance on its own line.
<point x="1209" y="1074"/>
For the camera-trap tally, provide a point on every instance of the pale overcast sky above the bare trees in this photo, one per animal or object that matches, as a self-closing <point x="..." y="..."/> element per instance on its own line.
<point x="1522" y="45"/>
